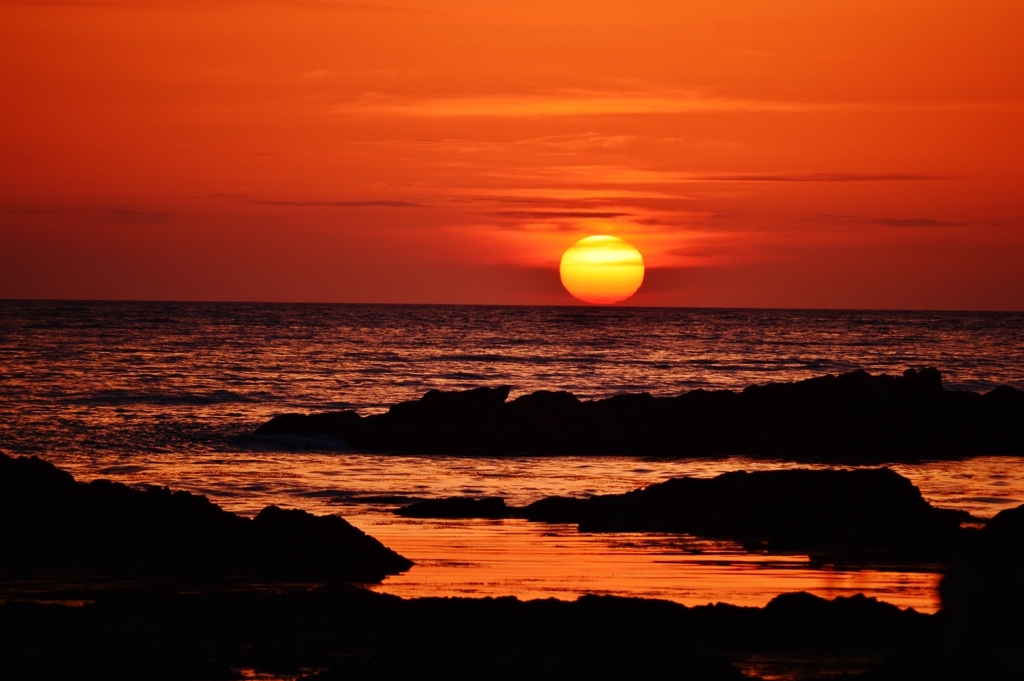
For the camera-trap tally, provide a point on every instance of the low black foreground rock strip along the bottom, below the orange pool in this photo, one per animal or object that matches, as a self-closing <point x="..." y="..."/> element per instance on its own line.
<point x="347" y="633"/>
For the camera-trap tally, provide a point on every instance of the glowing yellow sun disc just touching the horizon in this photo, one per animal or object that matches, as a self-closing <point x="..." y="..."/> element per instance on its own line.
<point x="602" y="270"/>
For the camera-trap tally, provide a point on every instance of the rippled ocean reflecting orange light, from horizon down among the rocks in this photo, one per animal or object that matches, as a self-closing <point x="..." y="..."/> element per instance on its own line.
<point x="169" y="394"/>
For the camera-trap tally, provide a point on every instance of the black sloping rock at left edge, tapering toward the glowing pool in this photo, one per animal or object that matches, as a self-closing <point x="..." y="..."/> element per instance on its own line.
<point x="50" y="524"/>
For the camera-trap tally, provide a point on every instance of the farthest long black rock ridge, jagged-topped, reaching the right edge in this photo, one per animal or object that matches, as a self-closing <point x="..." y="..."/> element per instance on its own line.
<point x="854" y="417"/>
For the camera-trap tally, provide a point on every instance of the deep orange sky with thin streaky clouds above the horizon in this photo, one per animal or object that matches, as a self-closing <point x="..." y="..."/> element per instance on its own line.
<point x="790" y="154"/>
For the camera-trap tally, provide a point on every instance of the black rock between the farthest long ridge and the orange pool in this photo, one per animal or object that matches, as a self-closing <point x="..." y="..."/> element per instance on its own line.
<point x="875" y="514"/>
